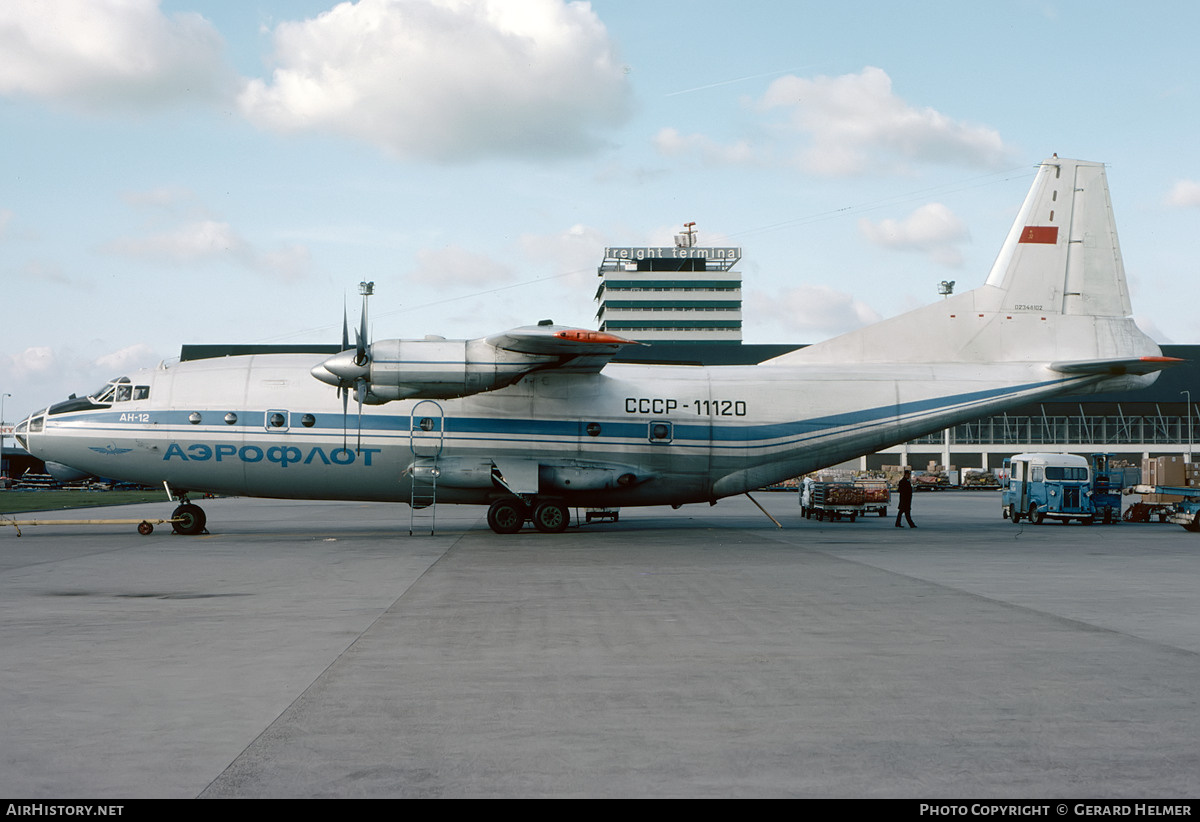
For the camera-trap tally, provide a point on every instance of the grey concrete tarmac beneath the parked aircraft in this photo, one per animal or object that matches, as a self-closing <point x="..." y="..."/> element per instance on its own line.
<point x="315" y="650"/>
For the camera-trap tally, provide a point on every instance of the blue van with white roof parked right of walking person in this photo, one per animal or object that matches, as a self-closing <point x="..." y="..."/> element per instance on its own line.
<point x="1048" y="485"/>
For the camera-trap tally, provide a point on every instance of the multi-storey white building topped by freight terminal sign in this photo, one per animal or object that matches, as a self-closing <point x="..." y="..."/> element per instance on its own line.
<point x="682" y="293"/>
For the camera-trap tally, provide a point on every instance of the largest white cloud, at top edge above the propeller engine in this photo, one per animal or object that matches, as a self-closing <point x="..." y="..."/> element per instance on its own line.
<point x="447" y="80"/>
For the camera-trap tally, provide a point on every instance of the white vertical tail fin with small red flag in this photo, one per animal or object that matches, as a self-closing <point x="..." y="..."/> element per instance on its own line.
<point x="1057" y="292"/>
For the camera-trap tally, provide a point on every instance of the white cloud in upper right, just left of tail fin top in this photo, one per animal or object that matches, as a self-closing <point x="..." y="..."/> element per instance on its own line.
<point x="856" y="123"/>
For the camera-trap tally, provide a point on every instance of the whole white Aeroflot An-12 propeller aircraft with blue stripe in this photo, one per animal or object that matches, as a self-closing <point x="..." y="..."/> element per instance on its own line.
<point x="537" y="421"/>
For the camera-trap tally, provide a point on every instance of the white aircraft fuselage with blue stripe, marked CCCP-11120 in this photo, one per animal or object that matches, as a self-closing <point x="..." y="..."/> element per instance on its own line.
<point x="628" y="436"/>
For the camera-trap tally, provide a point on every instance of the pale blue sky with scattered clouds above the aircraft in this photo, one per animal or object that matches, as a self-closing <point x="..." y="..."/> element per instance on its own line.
<point x="202" y="172"/>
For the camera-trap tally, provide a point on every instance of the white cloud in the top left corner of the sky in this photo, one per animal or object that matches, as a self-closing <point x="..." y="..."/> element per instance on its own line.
<point x="97" y="55"/>
